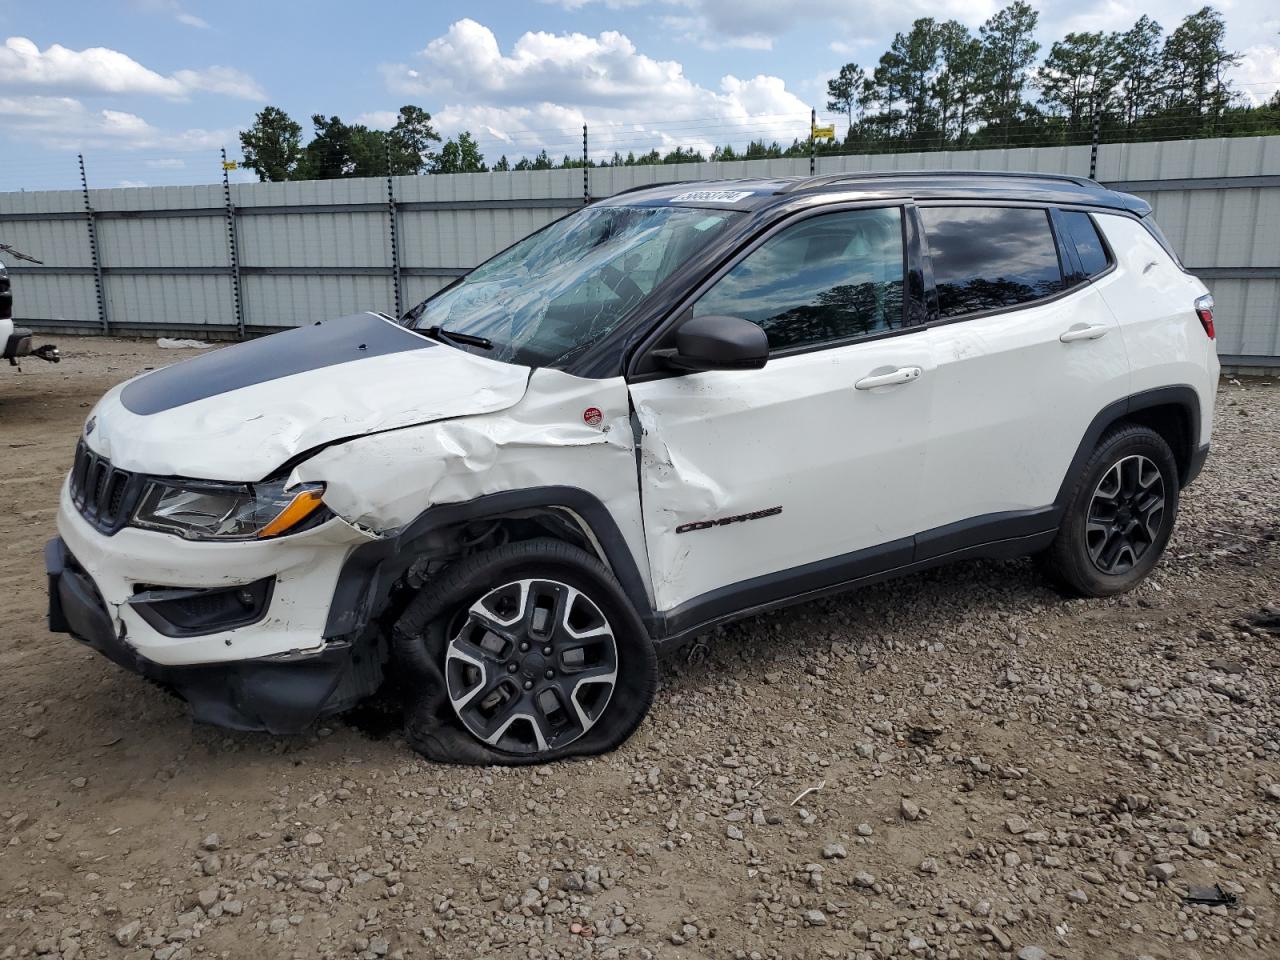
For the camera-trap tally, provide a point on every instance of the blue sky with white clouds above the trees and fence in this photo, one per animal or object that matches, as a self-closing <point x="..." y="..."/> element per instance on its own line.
<point x="150" y="89"/>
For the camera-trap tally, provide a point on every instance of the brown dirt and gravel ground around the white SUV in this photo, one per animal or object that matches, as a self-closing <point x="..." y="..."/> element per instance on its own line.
<point x="961" y="765"/>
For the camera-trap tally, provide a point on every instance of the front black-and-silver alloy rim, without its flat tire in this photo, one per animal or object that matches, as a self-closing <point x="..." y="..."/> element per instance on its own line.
<point x="532" y="668"/>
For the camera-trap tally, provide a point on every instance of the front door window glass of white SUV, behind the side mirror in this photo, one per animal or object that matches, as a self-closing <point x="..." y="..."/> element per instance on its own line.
<point x="825" y="280"/>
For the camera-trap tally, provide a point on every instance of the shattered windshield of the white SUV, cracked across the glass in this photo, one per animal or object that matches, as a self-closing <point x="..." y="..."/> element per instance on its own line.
<point x="561" y="290"/>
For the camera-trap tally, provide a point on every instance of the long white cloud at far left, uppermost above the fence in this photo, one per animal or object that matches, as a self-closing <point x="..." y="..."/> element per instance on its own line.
<point x="24" y="66"/>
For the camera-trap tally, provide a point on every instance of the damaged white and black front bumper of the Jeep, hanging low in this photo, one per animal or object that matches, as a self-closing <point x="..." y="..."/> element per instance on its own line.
<point x="272" y="671"/>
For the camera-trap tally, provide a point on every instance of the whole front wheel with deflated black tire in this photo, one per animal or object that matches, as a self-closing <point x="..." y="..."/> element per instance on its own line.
<point x="524" y="655"/>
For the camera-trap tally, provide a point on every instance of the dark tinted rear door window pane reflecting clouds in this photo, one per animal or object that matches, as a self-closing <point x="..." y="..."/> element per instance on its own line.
<point x="990" y="258"/>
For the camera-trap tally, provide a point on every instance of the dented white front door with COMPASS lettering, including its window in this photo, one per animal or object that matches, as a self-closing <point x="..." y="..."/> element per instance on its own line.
<point x="765" y="484"/>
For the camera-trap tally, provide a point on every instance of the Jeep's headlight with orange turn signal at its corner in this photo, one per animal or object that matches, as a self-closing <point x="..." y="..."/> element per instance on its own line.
<point x="209" y="511"/>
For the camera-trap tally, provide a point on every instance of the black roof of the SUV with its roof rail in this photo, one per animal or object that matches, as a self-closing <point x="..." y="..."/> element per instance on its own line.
<point x="760" y="194"/>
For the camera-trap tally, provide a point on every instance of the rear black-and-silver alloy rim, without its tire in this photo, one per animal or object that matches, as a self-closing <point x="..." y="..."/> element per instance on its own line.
<point x="1126" y="514"/>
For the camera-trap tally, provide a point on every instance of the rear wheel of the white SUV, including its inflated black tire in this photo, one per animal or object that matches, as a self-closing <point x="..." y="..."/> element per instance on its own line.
<point x="1119" y="516"/>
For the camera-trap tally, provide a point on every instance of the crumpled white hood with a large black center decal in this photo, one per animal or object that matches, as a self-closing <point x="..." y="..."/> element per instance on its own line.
<point x="241" y="413"/>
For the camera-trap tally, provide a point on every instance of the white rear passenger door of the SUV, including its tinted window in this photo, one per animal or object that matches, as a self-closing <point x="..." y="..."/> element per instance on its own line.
<point x="1027" y="355"/>
